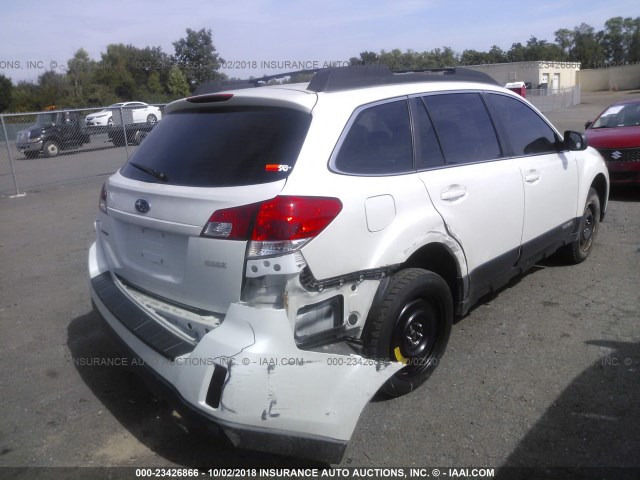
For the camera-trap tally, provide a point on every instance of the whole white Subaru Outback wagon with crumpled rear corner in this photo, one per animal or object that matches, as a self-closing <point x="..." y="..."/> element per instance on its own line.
<point x="274" y="256"/>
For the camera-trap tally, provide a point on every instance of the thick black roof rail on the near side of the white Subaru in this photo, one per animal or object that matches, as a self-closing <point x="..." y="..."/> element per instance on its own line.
<point x="345" y="78"/>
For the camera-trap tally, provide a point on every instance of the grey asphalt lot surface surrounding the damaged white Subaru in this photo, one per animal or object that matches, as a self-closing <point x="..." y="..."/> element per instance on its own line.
<point x="545" y="373"/>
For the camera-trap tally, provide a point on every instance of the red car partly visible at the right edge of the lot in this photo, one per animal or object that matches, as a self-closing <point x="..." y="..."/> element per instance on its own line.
<point x="616" y="135"/>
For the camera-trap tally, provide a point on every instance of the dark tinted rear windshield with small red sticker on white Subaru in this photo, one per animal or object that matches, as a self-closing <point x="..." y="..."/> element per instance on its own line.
<point x="221" y="147"/>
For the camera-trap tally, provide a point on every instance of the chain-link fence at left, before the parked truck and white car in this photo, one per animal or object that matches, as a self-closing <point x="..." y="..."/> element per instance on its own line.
<point x="61" y="146"/>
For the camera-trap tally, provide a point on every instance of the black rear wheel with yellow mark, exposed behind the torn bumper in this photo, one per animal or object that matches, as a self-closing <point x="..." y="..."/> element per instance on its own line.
<point x="411" y="325"/>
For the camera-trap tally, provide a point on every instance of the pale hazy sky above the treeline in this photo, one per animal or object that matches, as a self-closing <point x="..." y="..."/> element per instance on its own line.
<point x="38" y="34"/>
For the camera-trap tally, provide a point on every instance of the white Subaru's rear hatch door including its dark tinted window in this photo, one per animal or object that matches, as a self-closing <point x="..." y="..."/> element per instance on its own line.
<point x="193" y="163"/>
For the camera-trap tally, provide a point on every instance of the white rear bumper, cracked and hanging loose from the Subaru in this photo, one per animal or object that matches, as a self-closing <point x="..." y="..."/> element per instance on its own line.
<point x="247" y="378"/>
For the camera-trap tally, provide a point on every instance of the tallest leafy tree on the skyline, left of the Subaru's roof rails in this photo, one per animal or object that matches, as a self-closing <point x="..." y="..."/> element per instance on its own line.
<point x="197" y="58"/>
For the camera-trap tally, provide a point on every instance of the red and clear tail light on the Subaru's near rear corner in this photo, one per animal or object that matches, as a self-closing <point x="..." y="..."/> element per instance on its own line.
<point x="276" y="226"/>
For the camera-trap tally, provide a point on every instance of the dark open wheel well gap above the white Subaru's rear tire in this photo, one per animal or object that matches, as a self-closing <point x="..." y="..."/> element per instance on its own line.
<point x="437" y="258"/>
